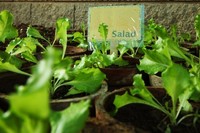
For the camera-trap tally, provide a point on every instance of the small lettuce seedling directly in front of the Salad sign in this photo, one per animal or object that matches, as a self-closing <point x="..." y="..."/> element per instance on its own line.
<point x="100" y="57"/>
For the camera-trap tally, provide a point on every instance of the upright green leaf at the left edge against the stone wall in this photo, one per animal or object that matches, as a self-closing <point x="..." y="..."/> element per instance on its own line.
<point x="7" y="30"/>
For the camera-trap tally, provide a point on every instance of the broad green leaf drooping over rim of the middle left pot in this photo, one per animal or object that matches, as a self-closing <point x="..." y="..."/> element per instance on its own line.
<point x="87" y="80"/>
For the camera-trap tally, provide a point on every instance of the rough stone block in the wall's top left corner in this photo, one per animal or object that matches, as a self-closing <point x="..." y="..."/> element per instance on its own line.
<point x="20" y="11"/>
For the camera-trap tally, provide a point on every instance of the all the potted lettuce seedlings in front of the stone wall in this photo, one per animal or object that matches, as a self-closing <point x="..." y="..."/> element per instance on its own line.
<point x="58" y="88"/>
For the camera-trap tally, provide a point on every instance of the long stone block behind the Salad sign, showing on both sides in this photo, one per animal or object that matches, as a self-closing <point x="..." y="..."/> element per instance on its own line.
<point x="166" y="14"/>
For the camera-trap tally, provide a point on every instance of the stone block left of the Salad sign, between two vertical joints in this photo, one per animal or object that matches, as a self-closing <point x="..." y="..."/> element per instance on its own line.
<point x="46" y="14"/>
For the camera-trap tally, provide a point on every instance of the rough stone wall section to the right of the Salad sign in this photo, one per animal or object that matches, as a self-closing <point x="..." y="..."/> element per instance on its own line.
<point x="168" y="14"/>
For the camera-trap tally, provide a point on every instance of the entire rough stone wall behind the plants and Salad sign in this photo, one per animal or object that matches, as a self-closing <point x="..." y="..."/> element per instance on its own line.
<point x="45" y="12"/>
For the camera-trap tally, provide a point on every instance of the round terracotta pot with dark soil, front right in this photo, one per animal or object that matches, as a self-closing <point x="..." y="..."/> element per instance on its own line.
<point x="142" y="117"/>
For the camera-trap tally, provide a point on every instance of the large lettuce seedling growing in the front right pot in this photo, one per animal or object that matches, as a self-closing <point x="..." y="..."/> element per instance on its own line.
<point x="176" y="82"/>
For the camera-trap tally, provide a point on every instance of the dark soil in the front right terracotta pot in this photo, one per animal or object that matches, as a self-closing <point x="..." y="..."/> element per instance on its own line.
<point x="153" y="120"/>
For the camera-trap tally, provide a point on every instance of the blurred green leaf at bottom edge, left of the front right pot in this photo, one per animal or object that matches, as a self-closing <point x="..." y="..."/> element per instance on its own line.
<point x="72" y="119"/>
